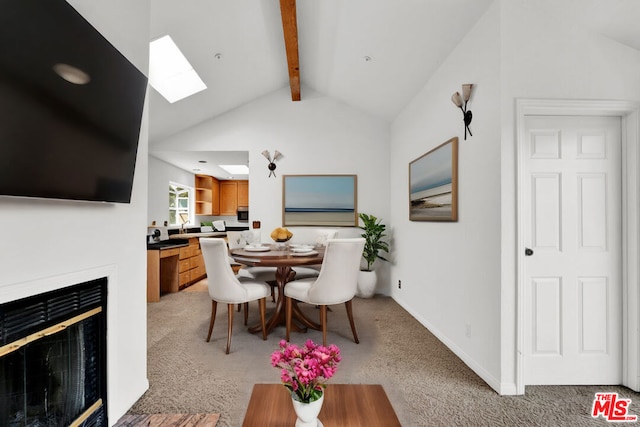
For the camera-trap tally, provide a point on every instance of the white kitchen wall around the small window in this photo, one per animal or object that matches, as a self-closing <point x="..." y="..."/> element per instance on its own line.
<point x="160" y="174"/>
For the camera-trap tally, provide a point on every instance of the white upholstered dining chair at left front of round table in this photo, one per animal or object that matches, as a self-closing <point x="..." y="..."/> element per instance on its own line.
<point x="225" y="287"/>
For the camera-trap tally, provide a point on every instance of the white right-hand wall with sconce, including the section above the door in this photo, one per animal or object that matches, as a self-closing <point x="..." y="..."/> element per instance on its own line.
<point x="461" y="277"/>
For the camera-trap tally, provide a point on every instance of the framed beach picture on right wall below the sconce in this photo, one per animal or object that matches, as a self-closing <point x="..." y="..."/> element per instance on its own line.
<point x="433" y="184"/>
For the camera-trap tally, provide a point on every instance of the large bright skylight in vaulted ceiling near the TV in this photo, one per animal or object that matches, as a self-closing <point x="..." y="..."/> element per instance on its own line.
<point x="170" y="73"/>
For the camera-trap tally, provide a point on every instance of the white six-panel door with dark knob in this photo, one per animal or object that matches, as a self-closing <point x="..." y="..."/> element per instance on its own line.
<point x="572" y="232"/>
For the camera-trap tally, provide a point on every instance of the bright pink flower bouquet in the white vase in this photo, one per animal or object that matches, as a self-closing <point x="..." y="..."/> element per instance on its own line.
<point x="306" y="369"/>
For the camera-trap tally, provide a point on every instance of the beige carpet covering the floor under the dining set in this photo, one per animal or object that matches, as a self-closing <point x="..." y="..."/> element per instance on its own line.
<point x="426" y="383"/>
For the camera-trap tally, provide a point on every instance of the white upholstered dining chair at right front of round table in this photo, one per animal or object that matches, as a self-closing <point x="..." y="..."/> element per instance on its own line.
<point x="336" y="283"/>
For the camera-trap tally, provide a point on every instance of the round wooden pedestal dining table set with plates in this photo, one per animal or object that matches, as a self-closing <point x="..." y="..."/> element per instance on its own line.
<point x="284" y="258"/>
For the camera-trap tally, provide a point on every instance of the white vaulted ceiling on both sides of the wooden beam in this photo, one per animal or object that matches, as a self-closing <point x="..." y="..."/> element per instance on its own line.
<point x="406" y="40"/>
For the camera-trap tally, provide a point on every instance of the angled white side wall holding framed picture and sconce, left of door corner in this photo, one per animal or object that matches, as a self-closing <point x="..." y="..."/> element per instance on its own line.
<point x="450" y="272"/>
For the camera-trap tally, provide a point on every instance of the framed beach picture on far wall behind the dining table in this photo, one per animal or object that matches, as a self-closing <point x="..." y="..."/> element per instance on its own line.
<point x="319" y="200"/>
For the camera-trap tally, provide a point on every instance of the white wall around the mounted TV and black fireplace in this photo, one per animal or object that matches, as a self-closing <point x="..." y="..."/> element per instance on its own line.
<point x="46" y="241"/>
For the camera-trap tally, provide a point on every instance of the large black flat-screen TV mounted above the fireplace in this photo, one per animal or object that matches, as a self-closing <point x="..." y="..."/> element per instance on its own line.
<point x="59" y="139"/>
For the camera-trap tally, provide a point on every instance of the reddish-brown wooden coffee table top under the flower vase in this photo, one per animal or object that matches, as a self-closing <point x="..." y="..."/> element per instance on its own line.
<point x="344" y="405"/>
